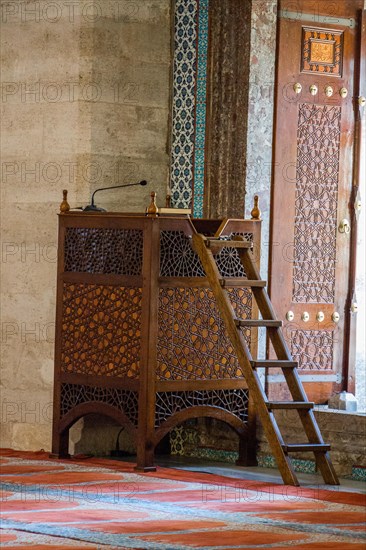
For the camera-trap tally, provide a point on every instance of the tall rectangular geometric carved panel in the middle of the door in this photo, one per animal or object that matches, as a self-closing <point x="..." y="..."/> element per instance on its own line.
<point x="318" y="145"/>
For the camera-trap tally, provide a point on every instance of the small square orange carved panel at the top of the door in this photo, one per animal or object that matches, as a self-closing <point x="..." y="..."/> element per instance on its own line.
<point x="322" y="51"/>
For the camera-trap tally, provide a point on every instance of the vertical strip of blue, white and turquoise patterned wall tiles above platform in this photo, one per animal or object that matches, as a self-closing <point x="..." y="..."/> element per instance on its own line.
<point x="189" y="104"/>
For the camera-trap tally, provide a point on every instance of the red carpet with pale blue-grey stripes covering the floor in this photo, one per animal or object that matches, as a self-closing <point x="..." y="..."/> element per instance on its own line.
<point x="97" y="504"/>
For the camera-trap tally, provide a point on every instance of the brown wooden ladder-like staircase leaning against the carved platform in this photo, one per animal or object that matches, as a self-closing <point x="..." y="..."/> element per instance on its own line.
<point x="206" y="247"/>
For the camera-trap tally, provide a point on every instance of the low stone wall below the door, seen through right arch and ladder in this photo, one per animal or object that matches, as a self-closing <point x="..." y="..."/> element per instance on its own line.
<point x="214" y="440"/>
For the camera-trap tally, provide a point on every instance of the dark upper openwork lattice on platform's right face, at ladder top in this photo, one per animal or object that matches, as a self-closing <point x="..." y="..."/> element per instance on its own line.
<point x="178" y="259"/>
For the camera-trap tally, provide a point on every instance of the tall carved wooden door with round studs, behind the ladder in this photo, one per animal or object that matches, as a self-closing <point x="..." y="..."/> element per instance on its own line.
<point x="312" y="186"/>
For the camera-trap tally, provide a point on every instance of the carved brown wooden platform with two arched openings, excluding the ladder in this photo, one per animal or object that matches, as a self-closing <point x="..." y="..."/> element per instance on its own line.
<point x="139" y="337"/>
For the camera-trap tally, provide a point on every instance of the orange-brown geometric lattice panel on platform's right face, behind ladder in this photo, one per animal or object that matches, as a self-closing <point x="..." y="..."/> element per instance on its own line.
<point x="192" y="341"/>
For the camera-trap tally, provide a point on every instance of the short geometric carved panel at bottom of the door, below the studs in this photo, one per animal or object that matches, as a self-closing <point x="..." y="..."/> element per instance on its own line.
<point x="313" y="349"/>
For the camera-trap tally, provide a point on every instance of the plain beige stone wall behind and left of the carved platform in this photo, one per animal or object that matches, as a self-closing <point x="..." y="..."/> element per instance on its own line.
<point x="85" y="104"/>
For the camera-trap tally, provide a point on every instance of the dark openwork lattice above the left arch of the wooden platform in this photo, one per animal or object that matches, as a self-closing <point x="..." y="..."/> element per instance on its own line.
<point x="77" y="394"/>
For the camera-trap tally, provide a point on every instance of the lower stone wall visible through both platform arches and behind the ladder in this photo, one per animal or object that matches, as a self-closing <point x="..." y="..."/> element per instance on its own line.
<point x="214" y="440"/>
